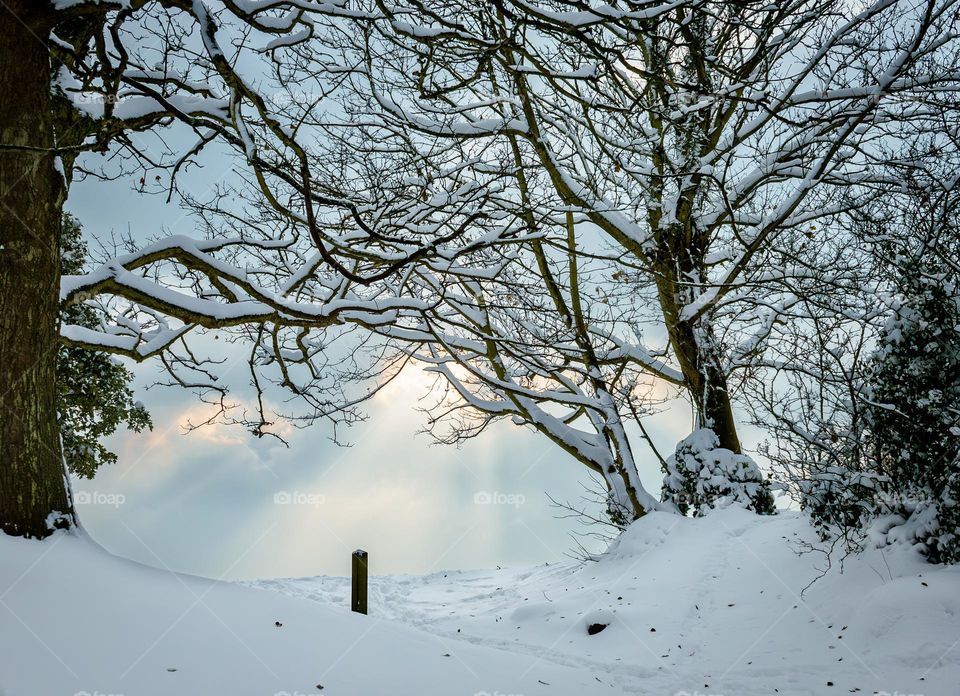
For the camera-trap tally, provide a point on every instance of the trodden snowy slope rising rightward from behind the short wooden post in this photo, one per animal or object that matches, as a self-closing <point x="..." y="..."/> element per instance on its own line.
<point x="706" y="606"/>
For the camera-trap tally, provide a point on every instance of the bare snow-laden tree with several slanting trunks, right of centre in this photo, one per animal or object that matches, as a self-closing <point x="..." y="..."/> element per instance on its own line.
<point x="664" y="165"/>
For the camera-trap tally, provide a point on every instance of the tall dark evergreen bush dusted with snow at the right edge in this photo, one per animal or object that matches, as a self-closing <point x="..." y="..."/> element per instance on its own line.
<point x="913" y="410"/>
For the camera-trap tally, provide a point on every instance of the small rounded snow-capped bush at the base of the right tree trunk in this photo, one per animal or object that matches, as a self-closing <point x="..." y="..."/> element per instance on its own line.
<point x="701" y="476"/>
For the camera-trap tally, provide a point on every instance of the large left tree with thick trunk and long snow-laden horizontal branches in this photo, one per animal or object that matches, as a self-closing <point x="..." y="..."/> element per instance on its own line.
<point x="79" y="78"/>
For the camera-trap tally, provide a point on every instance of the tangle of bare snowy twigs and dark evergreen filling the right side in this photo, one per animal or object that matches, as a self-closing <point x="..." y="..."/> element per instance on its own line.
<point x="863" y="397"/>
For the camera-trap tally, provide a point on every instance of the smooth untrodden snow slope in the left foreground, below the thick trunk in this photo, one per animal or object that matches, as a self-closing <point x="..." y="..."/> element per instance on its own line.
<point x="75" y="620"/>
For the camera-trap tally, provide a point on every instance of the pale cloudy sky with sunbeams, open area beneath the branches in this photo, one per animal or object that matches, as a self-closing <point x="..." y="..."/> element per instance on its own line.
<point x="221" y="503"/>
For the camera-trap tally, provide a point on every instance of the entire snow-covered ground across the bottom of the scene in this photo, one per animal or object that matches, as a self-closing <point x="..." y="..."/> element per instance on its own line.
<point x="709" y="606"/>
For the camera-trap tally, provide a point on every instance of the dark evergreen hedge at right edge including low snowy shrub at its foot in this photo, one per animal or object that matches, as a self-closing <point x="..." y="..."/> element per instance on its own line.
<point x="904" y="486"/>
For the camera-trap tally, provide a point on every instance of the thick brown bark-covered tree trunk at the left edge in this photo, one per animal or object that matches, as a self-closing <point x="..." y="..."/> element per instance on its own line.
<point x="33" y="487"/>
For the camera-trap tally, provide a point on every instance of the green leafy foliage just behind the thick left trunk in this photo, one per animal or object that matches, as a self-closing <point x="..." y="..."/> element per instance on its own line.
<point x="93" y="387"/>
